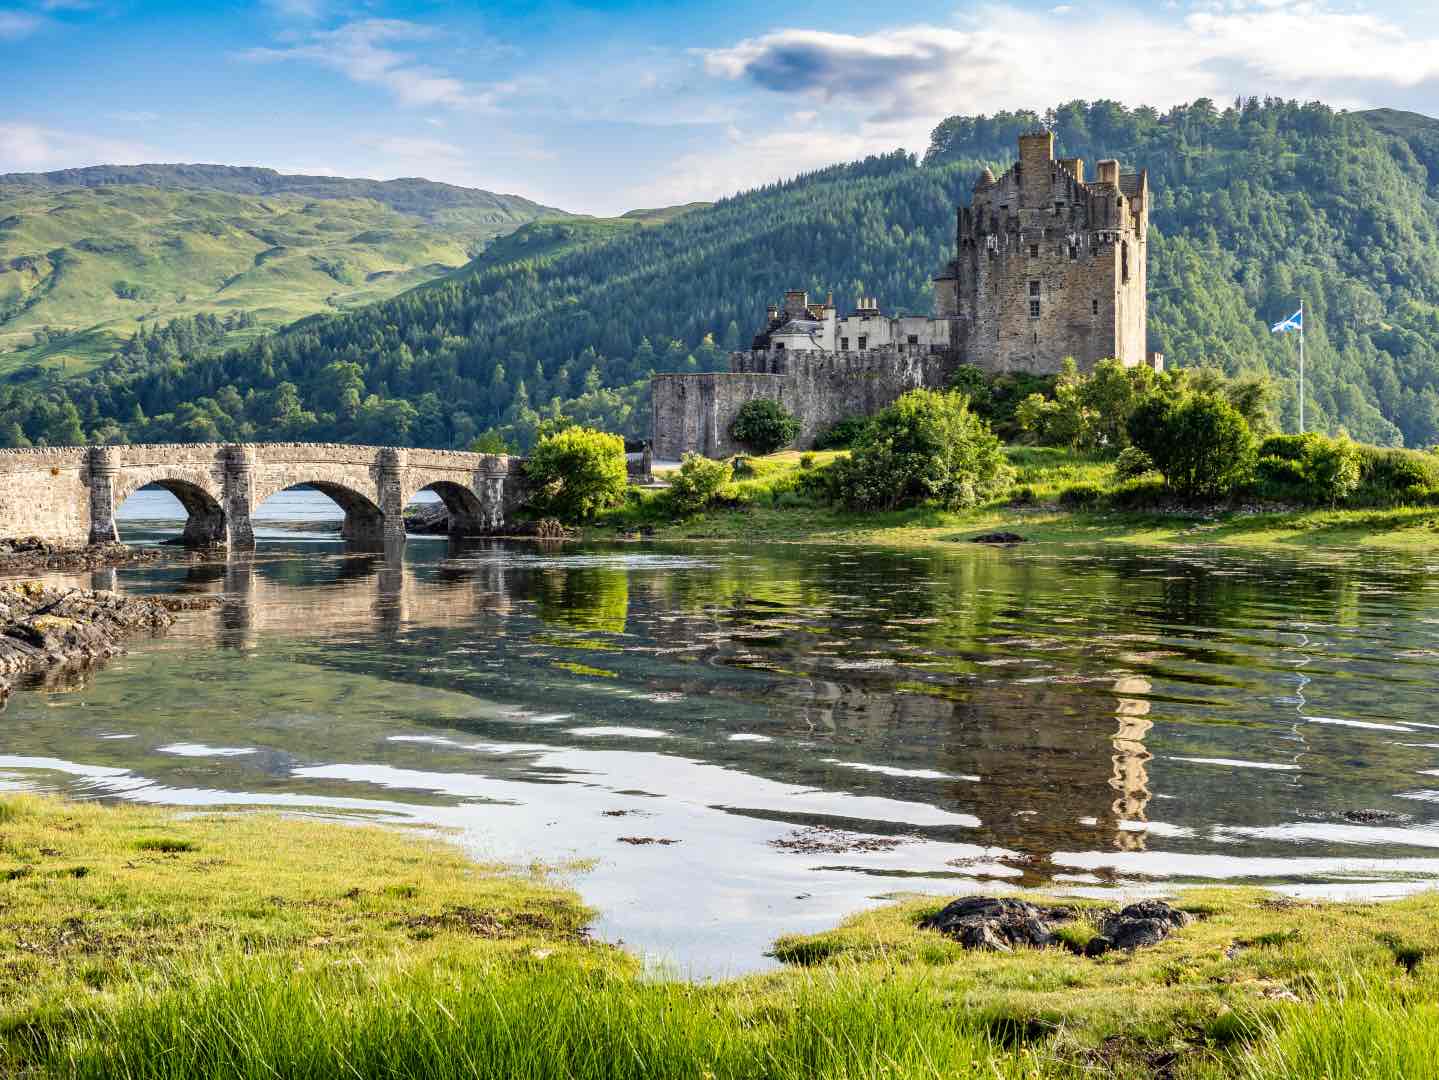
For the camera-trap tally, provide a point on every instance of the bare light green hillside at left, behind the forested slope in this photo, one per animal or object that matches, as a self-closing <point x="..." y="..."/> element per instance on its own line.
<point x="87" y="257"/>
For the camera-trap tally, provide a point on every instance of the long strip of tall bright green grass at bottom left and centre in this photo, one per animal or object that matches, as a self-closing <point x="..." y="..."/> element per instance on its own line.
<point x="549" y="1019"/>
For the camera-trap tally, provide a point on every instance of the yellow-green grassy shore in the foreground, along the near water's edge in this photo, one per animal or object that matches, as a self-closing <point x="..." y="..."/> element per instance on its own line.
<point x="149" y="946"/>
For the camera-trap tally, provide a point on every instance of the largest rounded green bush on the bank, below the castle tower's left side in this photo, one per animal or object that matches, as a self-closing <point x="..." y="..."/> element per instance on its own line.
<point x="925" y="448"/>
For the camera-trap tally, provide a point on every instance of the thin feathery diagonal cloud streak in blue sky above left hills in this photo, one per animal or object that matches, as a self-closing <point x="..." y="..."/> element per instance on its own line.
<point x="366" y="52"/>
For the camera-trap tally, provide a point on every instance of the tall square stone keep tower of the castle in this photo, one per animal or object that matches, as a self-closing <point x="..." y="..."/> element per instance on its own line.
<point x="1050" y="265"/>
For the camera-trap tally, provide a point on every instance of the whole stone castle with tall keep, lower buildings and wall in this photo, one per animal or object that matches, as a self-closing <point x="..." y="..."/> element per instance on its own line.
<point x="1048" y="267"/>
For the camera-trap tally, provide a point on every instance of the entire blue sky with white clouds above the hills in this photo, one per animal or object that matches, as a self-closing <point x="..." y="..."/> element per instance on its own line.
<point x="605" y="106"/>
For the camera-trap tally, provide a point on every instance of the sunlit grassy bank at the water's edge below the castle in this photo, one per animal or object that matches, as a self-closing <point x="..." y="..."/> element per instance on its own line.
<point x="1058" y="498"/>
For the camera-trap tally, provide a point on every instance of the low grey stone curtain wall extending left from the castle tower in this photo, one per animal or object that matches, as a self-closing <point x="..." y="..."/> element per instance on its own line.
<point x="693" y="413"/>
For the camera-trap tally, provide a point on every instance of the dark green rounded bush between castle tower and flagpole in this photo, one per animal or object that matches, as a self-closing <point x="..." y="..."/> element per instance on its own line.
<point x="1201" y="444"/>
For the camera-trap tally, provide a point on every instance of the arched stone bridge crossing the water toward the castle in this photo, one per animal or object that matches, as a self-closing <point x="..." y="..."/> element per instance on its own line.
<point x="71" y="494"/>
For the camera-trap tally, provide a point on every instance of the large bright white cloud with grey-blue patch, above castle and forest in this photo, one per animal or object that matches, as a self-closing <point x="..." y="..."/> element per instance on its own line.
<point x="1007" y="58"/>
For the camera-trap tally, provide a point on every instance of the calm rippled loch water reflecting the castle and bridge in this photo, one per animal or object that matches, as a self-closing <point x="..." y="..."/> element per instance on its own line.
<point x="1096" y="721"/>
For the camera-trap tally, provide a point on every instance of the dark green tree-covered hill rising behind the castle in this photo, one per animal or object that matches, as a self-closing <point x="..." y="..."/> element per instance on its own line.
<point x="1257" y="206"/>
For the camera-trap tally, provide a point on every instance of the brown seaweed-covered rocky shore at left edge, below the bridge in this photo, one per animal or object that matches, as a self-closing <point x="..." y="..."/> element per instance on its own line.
<point x="44" y="628"/>
